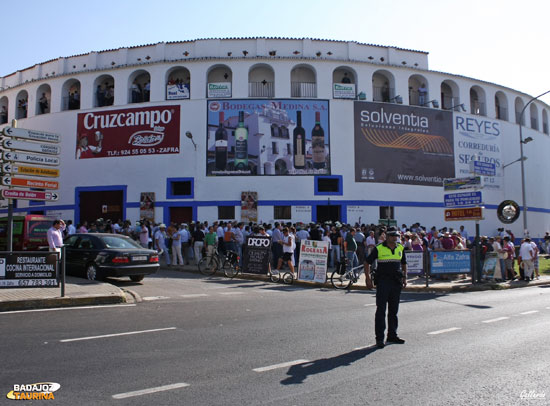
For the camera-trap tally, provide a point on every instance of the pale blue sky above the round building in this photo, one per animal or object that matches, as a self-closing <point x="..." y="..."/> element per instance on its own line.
<point x="505" y="42"/>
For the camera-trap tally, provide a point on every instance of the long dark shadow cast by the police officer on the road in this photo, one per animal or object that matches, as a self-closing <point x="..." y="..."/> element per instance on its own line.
<point x="298" y="373"/>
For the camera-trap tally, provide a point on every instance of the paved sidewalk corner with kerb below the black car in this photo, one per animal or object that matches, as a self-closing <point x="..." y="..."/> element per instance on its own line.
<point x="78" y="292"/>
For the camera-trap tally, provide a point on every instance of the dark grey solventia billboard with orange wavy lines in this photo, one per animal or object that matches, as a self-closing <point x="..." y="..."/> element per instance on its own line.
<point x="402" y="144"/>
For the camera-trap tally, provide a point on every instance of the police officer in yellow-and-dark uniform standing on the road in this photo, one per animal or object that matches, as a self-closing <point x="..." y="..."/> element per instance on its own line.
<point x="391" y="276"/>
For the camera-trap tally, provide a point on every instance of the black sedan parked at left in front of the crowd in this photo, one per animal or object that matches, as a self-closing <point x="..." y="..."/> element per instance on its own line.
<point x="96" y="256"/>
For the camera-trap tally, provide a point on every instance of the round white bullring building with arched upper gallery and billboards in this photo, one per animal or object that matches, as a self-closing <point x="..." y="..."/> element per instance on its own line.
<point x="300" y="129"/>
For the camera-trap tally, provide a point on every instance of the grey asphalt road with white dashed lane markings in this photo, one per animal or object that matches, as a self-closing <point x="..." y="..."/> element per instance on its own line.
<point x="211" y="341"/>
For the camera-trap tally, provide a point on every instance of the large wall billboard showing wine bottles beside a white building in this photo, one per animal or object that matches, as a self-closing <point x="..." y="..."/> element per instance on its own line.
<point x="268" y="137"/>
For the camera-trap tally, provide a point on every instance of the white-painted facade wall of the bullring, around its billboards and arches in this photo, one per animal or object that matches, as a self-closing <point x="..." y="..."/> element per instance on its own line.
<point x="289" y="68"/>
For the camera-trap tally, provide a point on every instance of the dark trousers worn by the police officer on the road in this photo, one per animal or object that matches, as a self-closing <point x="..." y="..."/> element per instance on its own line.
<point x="387" y="292"/>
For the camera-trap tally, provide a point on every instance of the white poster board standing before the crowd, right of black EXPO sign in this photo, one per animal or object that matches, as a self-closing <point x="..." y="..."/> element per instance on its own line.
<point x="313" y="261"/>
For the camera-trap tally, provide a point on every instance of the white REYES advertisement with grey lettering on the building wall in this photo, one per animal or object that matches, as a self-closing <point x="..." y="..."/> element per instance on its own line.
<point x="478" y="138"/>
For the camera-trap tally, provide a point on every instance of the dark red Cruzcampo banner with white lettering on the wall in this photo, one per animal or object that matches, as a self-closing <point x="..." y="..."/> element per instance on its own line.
<point x="128" y="132"/>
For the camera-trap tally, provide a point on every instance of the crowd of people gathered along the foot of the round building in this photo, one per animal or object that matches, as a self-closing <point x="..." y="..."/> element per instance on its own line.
<point x="183" y="244"/>
